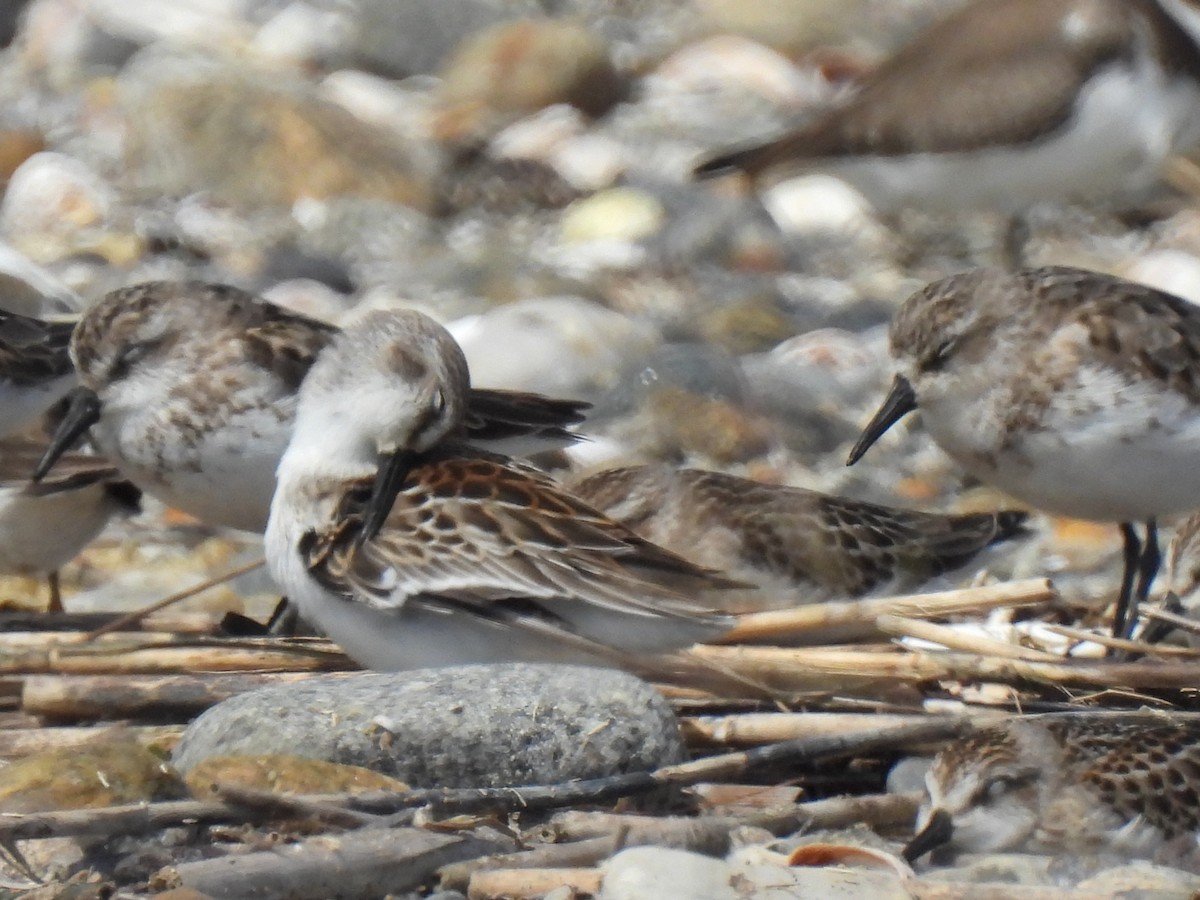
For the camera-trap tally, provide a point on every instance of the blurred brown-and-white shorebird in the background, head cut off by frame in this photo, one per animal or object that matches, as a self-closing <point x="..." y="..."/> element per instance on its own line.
<point x="1006" y="104"/>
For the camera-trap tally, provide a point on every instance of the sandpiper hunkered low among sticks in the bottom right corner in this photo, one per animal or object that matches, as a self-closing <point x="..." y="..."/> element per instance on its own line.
<point x="1127" y="783"/>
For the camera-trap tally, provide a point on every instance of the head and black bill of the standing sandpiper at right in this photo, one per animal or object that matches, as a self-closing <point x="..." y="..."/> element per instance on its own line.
<point x="935" y="338"/>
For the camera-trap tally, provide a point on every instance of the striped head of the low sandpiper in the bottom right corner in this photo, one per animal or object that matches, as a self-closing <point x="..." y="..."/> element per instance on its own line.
<point x="982" y="796"/>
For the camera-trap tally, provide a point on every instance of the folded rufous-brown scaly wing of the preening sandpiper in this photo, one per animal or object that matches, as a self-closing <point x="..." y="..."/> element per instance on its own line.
<point x="479" y="531"/>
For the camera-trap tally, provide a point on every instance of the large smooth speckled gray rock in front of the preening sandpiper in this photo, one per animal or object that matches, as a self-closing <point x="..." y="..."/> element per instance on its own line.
<point x="466" y="727"/>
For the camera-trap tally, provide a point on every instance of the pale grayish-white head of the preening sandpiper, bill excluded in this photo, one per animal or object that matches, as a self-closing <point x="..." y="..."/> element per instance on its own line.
<point x="398" y="377"/>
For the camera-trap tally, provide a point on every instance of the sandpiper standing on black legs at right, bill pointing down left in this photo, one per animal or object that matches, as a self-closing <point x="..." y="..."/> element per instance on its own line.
<point x="1075" y="392"/>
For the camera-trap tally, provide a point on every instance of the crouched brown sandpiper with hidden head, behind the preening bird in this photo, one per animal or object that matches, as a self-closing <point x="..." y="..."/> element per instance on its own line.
<point x="797" y="545"/>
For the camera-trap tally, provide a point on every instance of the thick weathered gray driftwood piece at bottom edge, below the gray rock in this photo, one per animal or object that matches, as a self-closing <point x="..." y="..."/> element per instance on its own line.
<point x="368" y="863"/>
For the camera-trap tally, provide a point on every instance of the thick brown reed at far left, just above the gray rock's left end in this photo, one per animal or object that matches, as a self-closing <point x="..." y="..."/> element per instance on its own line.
<point x="134" y="697"/>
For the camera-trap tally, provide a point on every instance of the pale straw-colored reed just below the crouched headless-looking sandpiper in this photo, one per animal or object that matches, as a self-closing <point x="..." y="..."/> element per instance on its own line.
<point x="857" y="619"/>
